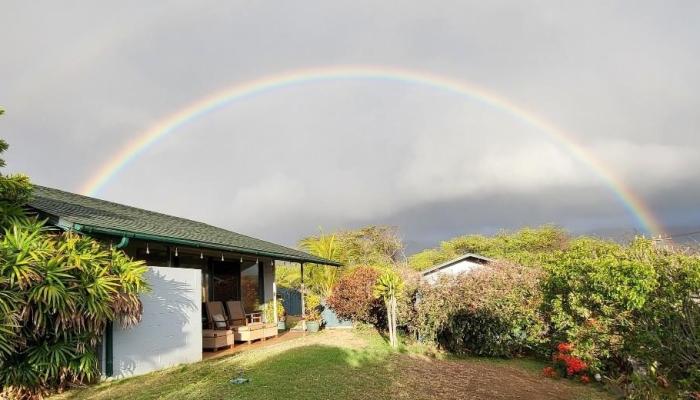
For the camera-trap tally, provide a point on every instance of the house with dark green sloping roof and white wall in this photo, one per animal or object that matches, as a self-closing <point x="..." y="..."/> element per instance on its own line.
<point x="188" y="262"/>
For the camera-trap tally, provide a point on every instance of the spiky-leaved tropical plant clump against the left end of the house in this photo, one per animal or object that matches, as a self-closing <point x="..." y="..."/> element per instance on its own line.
<point x="58" y="291"/>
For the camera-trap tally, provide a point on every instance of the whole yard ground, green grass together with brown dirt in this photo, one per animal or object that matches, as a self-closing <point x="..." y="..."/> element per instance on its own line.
<point x="343" y="365"/>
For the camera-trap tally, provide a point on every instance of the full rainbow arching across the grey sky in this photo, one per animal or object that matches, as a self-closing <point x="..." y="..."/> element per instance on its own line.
<point x="120" y="160"/>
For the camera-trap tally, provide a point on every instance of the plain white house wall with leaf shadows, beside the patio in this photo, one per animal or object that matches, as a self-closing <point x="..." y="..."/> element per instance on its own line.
<point x="170" y="332"/>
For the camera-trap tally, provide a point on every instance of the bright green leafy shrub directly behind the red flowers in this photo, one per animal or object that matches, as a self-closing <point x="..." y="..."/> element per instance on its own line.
<point x="593" y="292"/>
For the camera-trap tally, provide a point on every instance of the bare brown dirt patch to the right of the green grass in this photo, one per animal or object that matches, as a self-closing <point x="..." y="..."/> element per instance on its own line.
<point x="421" y="378"/>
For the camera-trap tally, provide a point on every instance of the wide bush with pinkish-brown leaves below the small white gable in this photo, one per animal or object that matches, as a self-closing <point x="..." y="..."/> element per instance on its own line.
<point x="490" y="312"/>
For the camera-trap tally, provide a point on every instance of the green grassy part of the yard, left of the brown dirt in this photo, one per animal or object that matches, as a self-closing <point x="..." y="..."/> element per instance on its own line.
<point x="307" y="372"/>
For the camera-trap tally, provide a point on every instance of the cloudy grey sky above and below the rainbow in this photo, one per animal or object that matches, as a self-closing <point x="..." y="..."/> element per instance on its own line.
<point x="79" y="80"/>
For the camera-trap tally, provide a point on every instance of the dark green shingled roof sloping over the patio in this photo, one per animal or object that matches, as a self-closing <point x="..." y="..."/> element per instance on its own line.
<point x="89" y="215"/>
